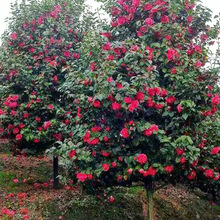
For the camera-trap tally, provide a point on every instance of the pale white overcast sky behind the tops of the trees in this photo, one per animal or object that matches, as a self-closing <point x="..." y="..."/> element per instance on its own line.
<point x="214" y="5"/>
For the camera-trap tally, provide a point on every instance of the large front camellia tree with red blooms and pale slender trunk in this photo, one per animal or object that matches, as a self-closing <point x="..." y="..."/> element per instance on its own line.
<point x="141" y="102"/>
